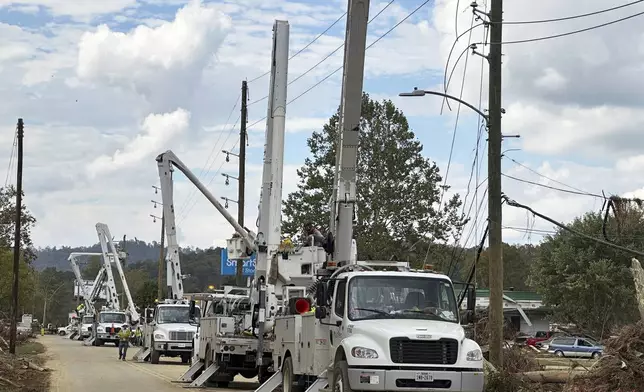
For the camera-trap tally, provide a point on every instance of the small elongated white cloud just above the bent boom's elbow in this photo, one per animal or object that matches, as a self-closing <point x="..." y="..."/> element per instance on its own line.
<point x="157" y="131"/>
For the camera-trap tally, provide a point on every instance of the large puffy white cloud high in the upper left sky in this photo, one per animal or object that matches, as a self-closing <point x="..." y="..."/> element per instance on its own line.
<point x="164" y="63"/>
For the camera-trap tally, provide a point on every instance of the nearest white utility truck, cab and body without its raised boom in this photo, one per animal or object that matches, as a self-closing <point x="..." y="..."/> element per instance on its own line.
<point x="377" y="331"/>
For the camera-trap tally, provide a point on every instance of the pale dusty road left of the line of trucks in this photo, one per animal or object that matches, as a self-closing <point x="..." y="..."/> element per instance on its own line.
<point x="78" y="368"/>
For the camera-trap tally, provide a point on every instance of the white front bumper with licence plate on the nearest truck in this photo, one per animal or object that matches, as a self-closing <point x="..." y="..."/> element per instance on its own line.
<point x="470" y="380"/>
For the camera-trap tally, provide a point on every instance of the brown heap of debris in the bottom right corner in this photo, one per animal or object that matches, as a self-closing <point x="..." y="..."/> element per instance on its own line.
<point x="621" y="368"/>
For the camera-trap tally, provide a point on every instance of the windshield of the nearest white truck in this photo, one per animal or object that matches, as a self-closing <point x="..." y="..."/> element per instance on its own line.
<point x="401" y="297"/>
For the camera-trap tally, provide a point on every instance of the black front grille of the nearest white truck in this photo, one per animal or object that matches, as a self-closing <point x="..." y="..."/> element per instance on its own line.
<point x="429" y="352"/>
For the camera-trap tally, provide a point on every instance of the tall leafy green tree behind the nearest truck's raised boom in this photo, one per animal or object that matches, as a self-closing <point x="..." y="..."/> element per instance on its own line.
<point x="397" y="188"/>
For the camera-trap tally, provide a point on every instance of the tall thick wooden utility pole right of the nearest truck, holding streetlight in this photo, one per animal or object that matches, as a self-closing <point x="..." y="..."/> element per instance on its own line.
<point x="494" y="186"/>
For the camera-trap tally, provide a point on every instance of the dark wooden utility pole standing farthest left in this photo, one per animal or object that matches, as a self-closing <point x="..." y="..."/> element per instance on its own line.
<point x="16" y="244"/>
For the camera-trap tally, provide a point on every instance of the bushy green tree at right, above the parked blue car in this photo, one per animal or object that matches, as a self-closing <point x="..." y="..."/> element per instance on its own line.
<point x="588" y="283"/>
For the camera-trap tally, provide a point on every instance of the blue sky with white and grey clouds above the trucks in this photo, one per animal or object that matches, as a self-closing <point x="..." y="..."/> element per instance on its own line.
<point x="105" y="86"/>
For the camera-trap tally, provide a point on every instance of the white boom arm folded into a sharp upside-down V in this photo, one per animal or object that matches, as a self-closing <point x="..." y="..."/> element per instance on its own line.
<point x="166" y="161"/>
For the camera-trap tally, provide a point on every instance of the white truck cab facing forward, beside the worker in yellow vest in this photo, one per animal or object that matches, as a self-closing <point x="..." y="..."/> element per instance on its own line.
<point x="171" y="332"/>
